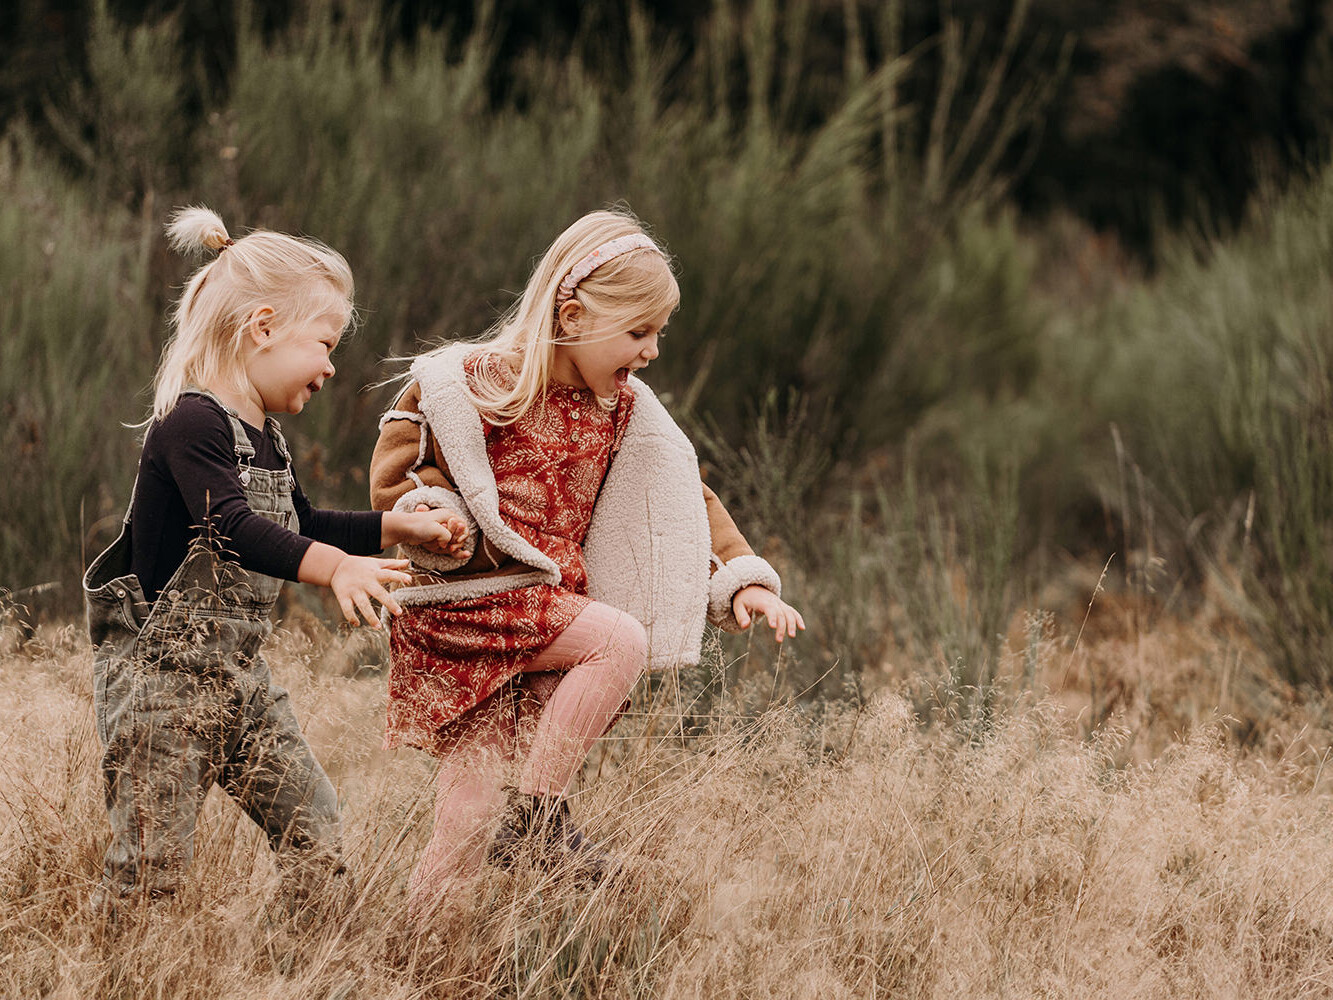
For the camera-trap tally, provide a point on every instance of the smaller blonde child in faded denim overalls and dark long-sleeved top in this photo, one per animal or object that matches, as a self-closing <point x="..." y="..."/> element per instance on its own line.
<point x="179" y="606"/>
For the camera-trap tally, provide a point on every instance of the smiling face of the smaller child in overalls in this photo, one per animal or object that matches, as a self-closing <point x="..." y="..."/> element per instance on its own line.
<point x="290" y="366"/>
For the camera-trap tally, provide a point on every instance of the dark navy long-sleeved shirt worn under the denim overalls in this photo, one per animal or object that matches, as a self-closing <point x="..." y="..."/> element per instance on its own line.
<point x="187" y="475"/>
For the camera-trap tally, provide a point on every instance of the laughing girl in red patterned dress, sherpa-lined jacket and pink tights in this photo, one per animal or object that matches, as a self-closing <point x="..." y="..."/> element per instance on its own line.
<point x="585" y="549"/>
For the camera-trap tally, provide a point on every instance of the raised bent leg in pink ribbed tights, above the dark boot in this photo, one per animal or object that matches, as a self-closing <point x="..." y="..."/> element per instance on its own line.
<point x="601" y="657"/>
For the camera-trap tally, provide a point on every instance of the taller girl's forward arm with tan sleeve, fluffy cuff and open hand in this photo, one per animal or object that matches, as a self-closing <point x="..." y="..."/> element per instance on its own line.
<point x="743" y="586"/>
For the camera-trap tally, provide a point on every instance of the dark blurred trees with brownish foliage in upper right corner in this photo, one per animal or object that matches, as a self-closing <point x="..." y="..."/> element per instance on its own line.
<point x="1176" y="109"/>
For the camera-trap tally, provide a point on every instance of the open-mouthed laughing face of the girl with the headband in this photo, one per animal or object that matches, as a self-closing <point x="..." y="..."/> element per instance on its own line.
<point x="602" y="361"/>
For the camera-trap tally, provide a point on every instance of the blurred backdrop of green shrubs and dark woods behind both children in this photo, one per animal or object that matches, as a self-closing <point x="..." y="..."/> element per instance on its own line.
<point x="972" y="293"/>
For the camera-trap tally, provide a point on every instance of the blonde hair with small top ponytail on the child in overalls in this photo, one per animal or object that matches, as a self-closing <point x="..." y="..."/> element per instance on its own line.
<point x="298" y="278"/>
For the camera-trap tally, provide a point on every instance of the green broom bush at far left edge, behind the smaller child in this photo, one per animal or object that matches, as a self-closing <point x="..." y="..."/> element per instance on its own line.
<point x="79" y="339"/>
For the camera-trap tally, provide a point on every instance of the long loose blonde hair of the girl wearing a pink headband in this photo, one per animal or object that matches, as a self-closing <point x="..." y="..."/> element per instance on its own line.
<point x="618" y="297"/>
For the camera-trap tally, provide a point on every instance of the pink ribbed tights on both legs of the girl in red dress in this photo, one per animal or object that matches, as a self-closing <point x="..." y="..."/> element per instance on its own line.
<point x="539" y="742"/>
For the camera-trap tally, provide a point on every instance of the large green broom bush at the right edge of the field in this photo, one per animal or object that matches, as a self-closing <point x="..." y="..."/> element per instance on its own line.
<point x="1218" y="373"/>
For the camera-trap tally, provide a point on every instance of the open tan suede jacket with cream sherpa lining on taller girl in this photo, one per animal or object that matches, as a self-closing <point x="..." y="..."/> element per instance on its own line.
<point x="661" y="545"/>
